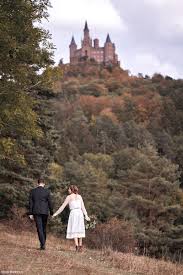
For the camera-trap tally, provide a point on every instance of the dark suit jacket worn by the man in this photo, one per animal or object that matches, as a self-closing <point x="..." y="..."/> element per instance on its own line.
<point x="40" y="201"/>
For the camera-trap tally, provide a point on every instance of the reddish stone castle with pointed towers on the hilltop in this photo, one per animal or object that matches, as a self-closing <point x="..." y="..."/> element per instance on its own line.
<point x="102" y="55"/>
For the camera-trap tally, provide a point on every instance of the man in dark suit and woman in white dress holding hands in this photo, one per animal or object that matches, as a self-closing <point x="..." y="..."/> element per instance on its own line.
<point x="40" y="205"/>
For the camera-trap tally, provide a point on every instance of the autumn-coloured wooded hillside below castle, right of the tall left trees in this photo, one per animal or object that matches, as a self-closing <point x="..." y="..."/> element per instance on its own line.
<point x="120" y="139"/>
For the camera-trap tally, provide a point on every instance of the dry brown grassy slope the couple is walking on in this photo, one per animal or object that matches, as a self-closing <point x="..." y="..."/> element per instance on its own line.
<point x="18" y="252"/>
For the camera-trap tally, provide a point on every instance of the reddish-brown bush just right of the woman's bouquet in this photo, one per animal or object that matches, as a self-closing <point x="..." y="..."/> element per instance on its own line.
<point x="115" y="234"/>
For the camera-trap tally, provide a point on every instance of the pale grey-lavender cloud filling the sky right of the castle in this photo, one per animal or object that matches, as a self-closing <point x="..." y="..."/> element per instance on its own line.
<point x="155" y="34"/>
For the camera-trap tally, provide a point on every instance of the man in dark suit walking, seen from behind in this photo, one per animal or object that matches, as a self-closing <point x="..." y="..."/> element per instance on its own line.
<point x="39" y="206"/>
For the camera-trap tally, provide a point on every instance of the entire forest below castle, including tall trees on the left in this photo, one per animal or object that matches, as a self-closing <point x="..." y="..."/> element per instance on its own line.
<point x="118" y="137"/>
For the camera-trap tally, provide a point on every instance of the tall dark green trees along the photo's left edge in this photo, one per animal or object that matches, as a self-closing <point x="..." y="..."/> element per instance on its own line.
<point x="25" y="49"/>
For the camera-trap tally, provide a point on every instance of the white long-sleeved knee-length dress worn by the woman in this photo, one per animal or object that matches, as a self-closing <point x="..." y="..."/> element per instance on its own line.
<point x="76" y="226"/>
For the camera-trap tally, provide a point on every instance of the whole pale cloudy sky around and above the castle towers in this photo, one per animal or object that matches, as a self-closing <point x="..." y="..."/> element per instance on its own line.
<point x="148" y="34"/>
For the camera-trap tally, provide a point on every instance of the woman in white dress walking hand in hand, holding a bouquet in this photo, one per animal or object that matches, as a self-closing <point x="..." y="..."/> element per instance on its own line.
<point x="76" y="226"/>
